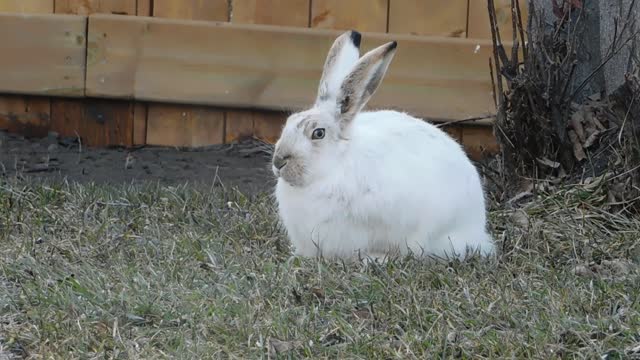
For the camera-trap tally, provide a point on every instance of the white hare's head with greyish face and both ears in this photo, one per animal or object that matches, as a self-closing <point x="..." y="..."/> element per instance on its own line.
<point x="312" y="140"/>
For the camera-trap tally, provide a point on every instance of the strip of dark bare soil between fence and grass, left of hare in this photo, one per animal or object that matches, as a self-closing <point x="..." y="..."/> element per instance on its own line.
<point x="244" y="165"/>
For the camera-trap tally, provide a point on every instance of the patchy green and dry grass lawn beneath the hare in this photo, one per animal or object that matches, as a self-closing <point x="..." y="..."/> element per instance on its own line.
<point x="173" y="272"/>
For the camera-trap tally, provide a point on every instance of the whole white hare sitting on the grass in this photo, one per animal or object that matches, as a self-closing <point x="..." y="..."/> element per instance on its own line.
<point x="369" y="184"/>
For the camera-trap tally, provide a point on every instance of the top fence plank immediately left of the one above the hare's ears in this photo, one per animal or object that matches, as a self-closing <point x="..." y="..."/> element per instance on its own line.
<point x="273" y="12"/>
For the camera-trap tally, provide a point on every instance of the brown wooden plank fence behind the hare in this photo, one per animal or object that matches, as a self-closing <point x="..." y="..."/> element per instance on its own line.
<point x="202" y="72"/>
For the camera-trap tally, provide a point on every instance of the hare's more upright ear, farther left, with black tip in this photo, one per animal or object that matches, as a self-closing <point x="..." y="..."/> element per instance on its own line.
<point x="344" y="53"/>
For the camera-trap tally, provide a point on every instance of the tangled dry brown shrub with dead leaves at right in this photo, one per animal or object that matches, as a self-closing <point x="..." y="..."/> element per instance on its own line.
<point x="548" y="130"/>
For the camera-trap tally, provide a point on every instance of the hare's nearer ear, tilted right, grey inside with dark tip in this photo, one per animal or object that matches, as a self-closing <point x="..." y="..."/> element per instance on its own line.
<point x="362" y="82"/>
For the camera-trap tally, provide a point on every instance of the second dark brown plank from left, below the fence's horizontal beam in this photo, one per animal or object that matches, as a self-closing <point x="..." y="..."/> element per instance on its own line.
<point x="97" y="122"/>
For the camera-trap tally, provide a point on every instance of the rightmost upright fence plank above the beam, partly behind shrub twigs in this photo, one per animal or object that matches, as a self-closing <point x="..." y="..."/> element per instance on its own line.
<point x="479" y="24"/>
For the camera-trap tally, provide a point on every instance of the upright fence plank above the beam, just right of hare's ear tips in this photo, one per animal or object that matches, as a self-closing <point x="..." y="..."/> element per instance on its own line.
<point x="429" y="17"/>
